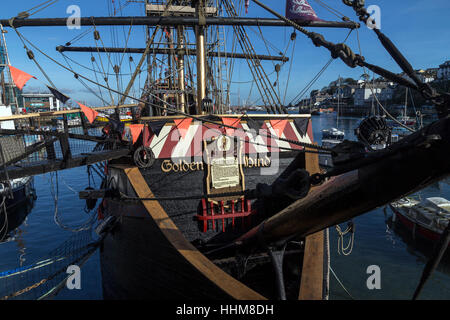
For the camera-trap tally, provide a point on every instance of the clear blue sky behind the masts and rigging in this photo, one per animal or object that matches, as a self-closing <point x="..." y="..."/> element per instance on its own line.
<point x="419" y="28"/>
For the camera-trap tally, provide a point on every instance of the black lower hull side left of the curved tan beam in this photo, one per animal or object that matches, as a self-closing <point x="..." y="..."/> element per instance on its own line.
<point x="139" y="262"/>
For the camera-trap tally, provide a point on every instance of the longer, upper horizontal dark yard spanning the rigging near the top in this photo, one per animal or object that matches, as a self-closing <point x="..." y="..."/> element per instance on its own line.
<point x="173" y="21"/>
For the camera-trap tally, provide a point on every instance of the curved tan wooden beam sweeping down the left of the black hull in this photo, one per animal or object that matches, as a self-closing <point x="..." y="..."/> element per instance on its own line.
<point x="220" y="278"/>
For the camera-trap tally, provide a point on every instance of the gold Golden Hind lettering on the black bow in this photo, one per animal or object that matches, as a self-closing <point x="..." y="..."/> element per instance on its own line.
<point x="185" y="166"/>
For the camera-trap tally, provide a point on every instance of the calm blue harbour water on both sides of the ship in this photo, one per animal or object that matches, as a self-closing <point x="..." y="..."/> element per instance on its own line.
<point x="377" y="242"/>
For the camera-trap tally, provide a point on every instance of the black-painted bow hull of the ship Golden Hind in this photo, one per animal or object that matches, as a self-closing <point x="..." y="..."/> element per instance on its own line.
<point x="140" y="260"/>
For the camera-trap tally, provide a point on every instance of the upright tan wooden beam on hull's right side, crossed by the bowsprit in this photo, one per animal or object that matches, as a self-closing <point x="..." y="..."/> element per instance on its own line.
<point x="311" y="284"/>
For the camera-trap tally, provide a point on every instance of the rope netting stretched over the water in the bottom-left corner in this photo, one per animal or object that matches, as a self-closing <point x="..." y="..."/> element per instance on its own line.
<point x="46" y="277"/>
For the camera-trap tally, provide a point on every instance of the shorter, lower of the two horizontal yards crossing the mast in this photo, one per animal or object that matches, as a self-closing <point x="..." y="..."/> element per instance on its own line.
<point x="167" y="51"/>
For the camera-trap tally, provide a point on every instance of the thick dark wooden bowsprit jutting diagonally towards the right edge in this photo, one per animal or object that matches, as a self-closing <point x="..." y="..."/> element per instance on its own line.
<point x="403" y="170"/>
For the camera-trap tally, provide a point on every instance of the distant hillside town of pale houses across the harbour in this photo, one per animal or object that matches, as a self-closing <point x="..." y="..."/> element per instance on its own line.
<point x="361" y="97"/>
